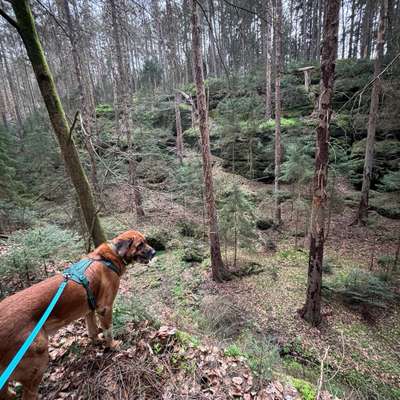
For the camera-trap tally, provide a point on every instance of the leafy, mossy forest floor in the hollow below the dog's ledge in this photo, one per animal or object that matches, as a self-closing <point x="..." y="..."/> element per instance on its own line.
<point x="256" y="315"/>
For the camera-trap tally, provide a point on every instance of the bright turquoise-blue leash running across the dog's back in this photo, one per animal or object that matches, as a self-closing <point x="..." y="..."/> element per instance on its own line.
<point x="23" y="349"/>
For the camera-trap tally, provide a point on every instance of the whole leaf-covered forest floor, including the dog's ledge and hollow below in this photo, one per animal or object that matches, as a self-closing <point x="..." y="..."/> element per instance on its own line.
<point x="207" y="340"/>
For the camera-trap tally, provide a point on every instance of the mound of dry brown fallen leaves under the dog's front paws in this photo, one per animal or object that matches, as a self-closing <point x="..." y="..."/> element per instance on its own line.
<point x="153" y="364"/>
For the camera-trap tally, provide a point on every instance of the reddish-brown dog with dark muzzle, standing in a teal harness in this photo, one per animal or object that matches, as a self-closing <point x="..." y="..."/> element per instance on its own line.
<point x="20" y="312"/>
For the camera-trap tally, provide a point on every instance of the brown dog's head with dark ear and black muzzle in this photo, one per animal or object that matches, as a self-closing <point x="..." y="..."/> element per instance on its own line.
<point x="132" y="246"/>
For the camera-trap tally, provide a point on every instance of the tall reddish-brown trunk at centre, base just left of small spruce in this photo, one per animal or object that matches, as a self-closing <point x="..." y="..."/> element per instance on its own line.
<point x="219" y="272"/>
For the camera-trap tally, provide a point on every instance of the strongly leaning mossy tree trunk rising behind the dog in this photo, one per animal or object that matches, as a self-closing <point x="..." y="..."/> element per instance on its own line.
<point x="28" y="33"/>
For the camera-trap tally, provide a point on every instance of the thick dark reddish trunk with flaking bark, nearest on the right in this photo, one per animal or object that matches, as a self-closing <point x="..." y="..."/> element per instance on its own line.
<point x="311" y="311"/>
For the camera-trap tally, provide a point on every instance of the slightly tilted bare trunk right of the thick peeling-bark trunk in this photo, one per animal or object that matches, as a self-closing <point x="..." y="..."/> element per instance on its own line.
<point x="362" y="213"/>
